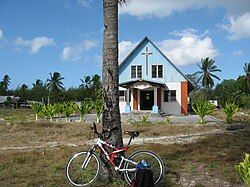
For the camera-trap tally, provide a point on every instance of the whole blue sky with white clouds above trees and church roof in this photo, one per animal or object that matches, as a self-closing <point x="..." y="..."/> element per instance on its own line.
<point x="39" y="37"/>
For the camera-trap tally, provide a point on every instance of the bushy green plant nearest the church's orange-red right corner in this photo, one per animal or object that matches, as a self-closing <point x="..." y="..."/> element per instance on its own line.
<point x="202" y="109"/>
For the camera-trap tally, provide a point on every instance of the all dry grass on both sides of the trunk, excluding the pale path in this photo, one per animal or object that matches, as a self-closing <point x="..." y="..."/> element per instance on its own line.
<point x="213" y="156"/>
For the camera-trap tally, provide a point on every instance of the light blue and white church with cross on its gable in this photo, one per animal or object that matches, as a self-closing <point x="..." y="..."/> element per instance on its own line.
<point x="149" y="81"/>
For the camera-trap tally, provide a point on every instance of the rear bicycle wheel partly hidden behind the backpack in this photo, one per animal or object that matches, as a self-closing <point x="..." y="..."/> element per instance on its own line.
<point x="150" y="157"/>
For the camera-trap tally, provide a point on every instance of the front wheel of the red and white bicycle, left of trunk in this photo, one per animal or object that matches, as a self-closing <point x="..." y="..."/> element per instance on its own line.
<point x="83" y="168"/>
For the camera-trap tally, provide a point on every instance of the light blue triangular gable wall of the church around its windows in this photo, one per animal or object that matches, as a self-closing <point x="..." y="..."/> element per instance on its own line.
<point x="170" y="72"/>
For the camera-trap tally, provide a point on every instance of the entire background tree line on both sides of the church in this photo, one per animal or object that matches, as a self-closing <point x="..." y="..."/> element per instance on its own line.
<point x="53" y="90"/>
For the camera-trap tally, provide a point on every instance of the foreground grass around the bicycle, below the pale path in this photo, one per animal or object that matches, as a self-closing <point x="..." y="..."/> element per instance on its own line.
<point x="215" y="154"/>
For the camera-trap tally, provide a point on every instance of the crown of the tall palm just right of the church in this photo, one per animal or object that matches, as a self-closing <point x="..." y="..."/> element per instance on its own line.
<point x="206" y="74"/>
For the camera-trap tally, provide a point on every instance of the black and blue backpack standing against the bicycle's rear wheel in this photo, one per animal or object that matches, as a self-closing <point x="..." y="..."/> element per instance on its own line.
<point x="144" y="175"/>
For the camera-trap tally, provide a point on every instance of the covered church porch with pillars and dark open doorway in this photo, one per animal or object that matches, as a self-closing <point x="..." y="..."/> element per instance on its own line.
<point x="141" y="95"/>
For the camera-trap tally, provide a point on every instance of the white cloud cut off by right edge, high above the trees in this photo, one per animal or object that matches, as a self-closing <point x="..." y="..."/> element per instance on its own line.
<point x="238" y="26"/>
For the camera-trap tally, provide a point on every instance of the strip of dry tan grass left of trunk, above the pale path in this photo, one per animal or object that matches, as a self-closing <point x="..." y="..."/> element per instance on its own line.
<point x="31" y="133"/>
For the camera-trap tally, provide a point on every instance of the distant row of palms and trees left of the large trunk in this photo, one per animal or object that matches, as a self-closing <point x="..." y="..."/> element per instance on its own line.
<point x="53" y="90"/>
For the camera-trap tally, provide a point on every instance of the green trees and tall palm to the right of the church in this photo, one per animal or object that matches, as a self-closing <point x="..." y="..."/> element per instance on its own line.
<point x="228" y="91"/>
